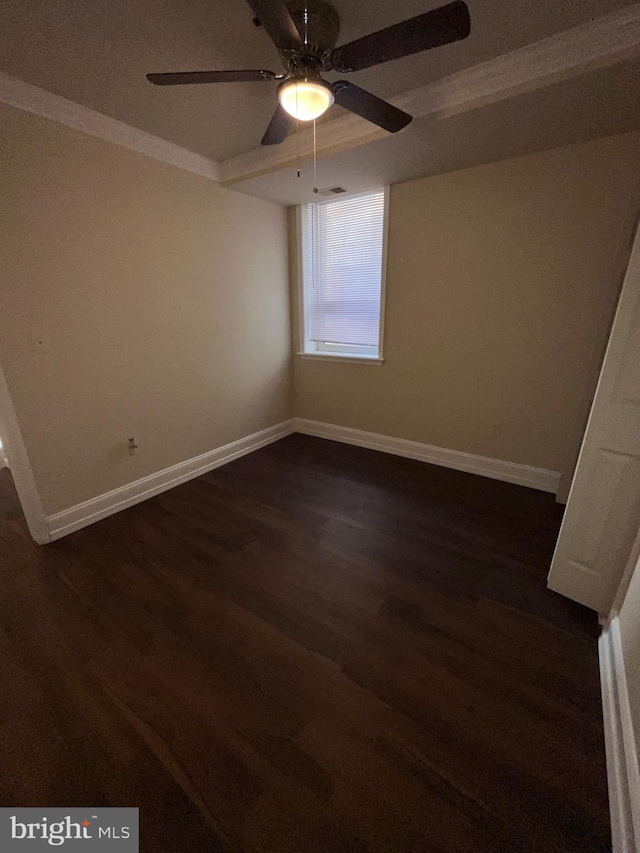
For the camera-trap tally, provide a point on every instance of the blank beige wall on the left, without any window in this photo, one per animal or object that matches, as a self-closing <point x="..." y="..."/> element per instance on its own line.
<point x="165" y="299"/>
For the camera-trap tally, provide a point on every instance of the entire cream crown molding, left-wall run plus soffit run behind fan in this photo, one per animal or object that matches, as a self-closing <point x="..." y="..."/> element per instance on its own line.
<point x="605" y="41"/>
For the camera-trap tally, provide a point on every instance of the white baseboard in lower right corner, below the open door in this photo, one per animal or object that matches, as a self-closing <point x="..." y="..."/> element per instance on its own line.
<point x="622" y="757"/>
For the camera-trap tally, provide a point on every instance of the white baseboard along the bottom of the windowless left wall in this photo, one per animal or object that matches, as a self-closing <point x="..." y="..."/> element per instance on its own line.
<point x="81" y="515"/>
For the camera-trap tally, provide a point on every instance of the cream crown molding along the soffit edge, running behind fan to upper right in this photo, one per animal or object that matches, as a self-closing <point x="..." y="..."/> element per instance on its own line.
<point x="600" y="43"/>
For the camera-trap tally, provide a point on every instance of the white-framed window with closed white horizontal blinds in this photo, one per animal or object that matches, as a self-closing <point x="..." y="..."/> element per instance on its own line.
<point x="342" y="268"/>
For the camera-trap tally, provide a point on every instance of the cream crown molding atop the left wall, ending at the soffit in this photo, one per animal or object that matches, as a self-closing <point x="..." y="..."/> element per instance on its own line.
<point x="32" y="99"/>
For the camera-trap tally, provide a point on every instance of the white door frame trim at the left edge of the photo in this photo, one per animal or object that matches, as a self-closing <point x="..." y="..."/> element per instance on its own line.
<point x="20" y="467"/>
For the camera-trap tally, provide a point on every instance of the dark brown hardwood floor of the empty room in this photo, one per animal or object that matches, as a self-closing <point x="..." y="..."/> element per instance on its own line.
<point x="313" y="648"/>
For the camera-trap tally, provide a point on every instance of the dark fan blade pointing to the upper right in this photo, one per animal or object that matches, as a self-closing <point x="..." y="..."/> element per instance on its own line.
<point x="440" y="26"/>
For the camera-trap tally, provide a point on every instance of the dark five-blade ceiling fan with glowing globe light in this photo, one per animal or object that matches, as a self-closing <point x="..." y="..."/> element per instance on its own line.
<point x="305" y="33"/>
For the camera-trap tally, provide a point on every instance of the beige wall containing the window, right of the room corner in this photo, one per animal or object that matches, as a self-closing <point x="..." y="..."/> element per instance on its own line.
<point x="497" y="277"/>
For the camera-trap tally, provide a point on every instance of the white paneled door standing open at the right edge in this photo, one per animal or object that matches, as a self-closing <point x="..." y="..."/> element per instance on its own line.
<point x="603" y="511"/>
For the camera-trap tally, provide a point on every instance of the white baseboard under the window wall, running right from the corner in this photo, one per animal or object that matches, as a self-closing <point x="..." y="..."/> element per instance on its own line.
<point x="497" y="469"/>
